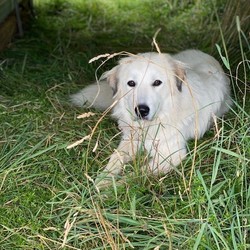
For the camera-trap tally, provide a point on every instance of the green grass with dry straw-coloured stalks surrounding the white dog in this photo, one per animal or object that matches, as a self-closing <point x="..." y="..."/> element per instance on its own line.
<point x="47" y="196"/>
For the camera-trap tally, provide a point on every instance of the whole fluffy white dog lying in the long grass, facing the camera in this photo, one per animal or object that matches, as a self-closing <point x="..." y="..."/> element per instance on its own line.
<point x="161" y="102"/>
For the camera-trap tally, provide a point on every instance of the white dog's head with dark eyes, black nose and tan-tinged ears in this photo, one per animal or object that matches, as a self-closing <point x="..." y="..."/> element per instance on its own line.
<point x="146" y="83"/>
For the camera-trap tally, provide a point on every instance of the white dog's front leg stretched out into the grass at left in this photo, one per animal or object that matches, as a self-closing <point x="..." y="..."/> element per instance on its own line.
<point x="124" y="153"/>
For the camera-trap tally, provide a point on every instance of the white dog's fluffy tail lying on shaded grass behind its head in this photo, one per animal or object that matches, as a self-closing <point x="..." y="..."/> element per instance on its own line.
<point x="97" y="95"/>
